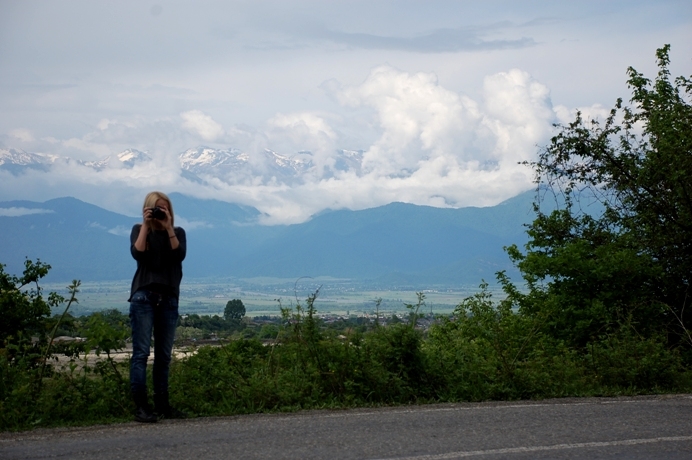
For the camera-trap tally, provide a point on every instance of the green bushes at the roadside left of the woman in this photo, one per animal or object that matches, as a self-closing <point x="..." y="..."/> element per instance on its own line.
<point x="34" y="389"/>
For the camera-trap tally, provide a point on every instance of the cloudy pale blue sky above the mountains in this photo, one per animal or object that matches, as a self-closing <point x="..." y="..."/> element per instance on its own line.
<point x="443" y="98"/>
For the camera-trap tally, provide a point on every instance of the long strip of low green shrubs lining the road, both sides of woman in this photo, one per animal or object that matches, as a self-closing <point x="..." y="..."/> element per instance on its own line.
<point x="483" y="353"/>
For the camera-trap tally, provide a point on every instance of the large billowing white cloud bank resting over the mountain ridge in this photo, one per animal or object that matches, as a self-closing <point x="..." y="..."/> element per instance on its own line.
<point x="434" y="147"/>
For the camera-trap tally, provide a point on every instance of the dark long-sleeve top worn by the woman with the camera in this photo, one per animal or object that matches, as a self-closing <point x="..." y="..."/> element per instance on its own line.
<point x="159" y="267"/>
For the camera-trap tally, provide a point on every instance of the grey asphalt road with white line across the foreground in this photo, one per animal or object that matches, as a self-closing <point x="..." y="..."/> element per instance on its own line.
<point x="594" y="428"/>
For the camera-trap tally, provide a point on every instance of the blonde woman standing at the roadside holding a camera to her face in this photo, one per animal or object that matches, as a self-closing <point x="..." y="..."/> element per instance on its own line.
<point x="159" y="249"/>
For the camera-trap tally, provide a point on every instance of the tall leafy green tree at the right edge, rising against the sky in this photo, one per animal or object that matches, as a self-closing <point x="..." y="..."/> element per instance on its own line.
<point x="633" y="261"/>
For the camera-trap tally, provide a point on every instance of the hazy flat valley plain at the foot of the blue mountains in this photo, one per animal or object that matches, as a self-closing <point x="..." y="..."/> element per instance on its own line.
<point x="263" y="296"/>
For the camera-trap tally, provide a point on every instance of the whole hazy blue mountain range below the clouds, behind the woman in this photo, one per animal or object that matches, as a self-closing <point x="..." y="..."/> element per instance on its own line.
<point x="396" y="244"/>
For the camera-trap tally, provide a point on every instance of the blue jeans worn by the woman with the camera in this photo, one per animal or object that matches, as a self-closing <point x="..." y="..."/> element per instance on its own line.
<point x="151" y="311"/>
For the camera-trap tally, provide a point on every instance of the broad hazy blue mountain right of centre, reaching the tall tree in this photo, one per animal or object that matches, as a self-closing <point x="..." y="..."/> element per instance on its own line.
<point x="398" y="241"/>
